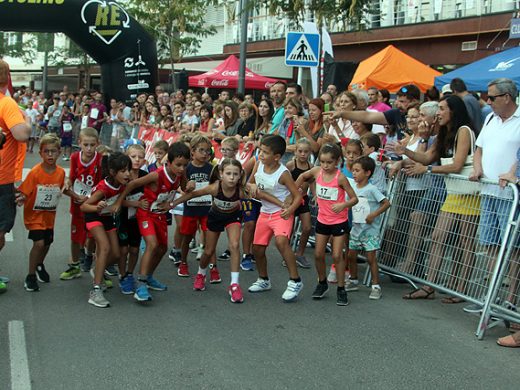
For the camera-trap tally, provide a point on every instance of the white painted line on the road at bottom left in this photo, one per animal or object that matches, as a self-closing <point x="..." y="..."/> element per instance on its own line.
<point x="20" y="378"/>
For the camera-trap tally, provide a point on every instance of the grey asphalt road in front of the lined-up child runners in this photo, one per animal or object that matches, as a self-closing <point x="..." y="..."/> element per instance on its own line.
<point x="199" y="340"/>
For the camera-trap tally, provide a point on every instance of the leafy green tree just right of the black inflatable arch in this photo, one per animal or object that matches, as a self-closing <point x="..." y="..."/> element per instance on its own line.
<point x="177" y="25"/>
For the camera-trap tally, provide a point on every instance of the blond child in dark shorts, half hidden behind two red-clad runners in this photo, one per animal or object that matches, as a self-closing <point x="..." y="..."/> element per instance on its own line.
<point x="128" y="228"/>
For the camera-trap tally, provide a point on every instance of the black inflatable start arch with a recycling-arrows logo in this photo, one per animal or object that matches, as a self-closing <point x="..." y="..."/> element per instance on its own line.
<point x="126" y="52"/>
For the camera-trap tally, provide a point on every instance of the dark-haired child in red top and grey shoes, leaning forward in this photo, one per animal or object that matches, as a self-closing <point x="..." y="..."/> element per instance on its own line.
<point x="99" y="211"/>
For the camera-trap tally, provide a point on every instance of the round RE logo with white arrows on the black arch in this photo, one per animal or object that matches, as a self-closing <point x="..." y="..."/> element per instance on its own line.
<point x="110" y="19"/>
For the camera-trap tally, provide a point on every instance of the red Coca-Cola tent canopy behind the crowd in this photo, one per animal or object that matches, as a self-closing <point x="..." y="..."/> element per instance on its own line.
<point x="226" y="76"/>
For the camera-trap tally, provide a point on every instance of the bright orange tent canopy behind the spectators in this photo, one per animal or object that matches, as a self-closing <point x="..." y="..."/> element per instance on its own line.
<point x="391" y="69"/>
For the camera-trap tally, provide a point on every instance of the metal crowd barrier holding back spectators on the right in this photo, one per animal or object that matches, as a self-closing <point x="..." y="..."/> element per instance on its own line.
<point x="434" y="235"/>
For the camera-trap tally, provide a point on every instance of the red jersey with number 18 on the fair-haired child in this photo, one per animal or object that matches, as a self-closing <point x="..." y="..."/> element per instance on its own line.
<point x="83" y="176"/>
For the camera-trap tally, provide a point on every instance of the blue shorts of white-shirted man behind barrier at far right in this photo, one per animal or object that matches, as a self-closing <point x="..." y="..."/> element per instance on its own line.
<point x="494" y="215"/>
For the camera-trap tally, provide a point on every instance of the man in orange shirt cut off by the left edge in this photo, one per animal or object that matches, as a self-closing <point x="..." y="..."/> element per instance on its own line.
<point x="15" y="129"/>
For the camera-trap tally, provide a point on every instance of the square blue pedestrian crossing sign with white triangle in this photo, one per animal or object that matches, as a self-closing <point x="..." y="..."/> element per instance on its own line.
<point x="302" y="49"/>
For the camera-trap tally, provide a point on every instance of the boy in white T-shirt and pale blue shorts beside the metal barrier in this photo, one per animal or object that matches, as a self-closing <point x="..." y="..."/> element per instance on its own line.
<point x="366" y="224"/>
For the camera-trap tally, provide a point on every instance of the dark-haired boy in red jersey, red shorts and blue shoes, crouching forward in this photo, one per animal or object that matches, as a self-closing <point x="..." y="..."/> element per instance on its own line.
<point x="159" y="189"/>
